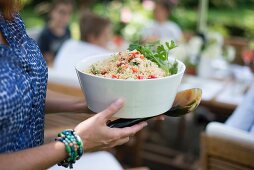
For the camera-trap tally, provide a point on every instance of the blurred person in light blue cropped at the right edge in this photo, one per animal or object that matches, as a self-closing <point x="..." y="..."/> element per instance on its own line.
<point x="243" y="117"/>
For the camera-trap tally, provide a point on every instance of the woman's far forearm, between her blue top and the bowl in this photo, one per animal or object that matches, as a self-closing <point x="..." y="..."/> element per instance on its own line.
<point x="56" y="102"/>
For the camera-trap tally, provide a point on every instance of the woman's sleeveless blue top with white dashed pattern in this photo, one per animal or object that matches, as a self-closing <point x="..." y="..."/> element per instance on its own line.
<point x="23" y="81"/>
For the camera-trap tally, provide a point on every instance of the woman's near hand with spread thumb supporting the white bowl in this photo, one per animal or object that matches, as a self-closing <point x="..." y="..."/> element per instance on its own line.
<point x="97" y="135"/>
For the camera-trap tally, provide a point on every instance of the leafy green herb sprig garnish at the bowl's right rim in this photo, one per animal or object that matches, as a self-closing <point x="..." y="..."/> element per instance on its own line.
<point x="158" y="54"/>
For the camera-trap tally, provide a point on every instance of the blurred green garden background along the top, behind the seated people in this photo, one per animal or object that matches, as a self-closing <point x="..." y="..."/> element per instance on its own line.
<point x="229" y="17"/>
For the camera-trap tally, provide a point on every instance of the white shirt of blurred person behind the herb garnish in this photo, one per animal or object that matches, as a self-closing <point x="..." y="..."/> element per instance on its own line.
<point x="163" y="31"/>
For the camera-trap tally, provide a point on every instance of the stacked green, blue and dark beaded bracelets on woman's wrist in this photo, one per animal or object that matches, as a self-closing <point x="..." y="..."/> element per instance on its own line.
<point x="73" y="146"/>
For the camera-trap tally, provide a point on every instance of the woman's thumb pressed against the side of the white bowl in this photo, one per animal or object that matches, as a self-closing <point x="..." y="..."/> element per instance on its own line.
<point x="112" y="109"/>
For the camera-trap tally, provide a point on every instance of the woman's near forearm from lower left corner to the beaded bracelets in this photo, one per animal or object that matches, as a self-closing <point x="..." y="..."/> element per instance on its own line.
<point x="41" y="157"/>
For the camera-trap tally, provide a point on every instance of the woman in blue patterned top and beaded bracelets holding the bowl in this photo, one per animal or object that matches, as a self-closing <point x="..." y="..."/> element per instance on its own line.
<point x="23" y="77"/>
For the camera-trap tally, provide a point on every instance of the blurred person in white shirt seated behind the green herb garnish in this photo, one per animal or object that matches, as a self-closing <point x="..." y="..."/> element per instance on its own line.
<point x="161" y="28"/>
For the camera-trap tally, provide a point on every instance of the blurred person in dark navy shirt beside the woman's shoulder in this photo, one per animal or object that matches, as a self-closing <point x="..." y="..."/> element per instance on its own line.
<point x="56" y="32"/>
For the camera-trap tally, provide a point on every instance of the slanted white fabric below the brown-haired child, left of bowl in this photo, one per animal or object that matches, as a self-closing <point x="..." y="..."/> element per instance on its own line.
<point x="72" y="51"/>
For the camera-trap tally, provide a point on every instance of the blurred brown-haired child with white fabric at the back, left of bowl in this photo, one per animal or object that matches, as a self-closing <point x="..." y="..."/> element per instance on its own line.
<point x="95" y="35"/>
